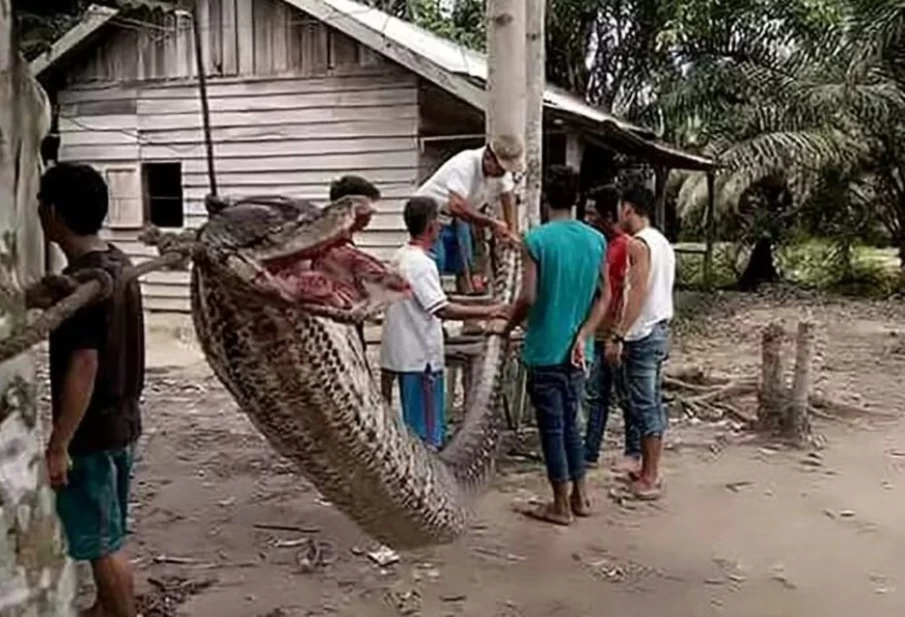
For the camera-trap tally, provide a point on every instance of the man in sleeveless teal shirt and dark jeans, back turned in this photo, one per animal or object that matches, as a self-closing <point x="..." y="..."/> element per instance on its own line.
<point x="564" y="268"/>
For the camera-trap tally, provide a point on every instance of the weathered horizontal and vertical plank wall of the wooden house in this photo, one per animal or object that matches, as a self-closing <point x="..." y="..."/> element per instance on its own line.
<point x="328" y="110"/>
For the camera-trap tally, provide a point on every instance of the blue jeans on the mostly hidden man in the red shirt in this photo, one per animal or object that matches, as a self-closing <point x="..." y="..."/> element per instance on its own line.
<point x="598" y="392"/>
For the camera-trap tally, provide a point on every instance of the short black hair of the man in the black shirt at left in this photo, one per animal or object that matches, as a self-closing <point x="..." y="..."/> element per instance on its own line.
<point x="78" y="194"/>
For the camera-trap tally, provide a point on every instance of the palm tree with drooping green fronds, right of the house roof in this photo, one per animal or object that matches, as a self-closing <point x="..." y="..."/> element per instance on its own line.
<point x="800" y="108"/>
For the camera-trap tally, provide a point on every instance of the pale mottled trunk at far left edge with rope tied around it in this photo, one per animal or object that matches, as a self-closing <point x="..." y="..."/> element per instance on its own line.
<point x="36" y="577"/>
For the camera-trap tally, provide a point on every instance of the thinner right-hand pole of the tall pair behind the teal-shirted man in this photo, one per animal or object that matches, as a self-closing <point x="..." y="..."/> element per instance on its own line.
<point x="534" y="129"/>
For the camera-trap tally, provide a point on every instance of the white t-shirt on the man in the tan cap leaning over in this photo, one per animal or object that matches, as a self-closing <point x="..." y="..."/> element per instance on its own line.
<point x="464" y="174"/>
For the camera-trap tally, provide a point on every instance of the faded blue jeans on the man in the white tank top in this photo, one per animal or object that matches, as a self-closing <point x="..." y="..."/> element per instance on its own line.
<point x="640" y="380"/>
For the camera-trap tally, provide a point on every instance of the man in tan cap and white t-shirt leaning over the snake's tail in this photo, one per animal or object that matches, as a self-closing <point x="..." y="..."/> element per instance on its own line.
<point x="461" y="186"/>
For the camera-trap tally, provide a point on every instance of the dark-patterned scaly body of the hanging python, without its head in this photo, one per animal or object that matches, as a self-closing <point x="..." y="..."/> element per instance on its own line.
<point x="304" y="382"/>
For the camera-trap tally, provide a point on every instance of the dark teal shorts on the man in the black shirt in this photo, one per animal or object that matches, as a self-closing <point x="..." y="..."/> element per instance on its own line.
<point x="94" y="504"/>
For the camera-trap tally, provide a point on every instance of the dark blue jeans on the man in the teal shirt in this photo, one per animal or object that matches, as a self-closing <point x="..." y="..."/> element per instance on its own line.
<point x="554" y="392"/>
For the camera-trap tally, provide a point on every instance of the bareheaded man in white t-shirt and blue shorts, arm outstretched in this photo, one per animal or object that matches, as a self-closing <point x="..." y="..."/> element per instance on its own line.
<point x="411" y="350"/>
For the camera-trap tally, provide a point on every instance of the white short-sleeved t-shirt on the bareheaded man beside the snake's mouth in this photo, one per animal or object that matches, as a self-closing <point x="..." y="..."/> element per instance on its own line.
<point x="412" y="333"/>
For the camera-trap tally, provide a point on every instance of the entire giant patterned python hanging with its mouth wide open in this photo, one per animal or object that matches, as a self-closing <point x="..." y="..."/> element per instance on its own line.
<point x="276" y="287"/>
